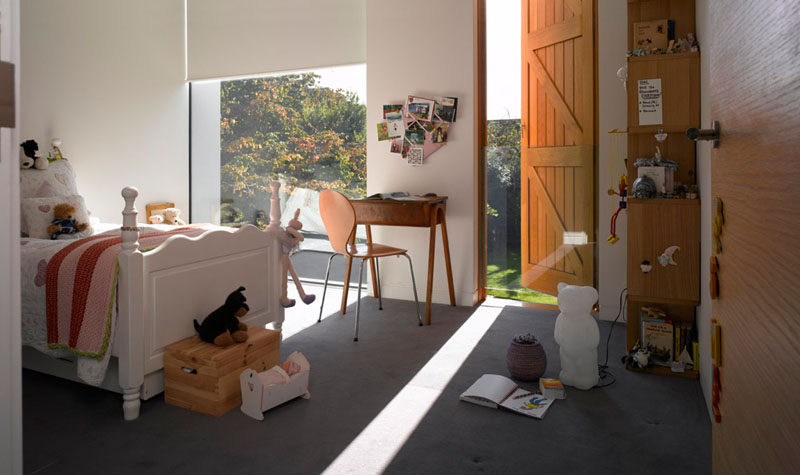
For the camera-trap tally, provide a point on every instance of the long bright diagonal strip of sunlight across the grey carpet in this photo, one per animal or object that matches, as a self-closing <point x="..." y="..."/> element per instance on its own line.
<point x="375" y="447"/>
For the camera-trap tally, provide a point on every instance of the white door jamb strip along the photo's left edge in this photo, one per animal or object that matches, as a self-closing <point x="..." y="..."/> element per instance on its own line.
<point x="10" y="333"/>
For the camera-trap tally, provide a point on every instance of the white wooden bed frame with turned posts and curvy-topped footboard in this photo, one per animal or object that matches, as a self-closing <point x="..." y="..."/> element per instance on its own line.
<point x="161" y="290"/>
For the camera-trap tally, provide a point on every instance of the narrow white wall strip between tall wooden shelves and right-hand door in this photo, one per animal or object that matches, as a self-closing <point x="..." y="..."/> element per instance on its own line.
<point x="703" y="25"/>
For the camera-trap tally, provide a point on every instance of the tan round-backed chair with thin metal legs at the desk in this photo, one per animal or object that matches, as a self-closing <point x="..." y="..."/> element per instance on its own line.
<point x="340" y="223"/>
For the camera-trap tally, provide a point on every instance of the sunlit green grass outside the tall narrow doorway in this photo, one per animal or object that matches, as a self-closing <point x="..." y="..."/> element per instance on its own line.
<point x="503" y="279"/>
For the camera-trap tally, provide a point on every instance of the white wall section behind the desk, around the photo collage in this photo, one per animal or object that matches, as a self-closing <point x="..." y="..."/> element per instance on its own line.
<point x="438" y="60"/>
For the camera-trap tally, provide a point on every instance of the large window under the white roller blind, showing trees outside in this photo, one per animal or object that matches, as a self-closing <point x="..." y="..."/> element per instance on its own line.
<point x="306" y="130"/>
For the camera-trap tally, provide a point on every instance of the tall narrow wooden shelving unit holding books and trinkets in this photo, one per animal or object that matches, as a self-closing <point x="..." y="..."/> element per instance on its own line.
<point x="655" y="224"/>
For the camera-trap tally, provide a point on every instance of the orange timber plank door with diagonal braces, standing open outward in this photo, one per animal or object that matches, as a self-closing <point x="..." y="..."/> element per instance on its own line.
<point x="558" y="143"/>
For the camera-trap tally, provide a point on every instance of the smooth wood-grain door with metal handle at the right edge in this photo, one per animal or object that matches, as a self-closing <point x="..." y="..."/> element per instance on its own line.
<point x="755" y="95"/>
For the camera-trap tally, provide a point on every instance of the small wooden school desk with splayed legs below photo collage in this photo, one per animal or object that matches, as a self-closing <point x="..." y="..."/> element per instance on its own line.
<point x="425" y="214"/>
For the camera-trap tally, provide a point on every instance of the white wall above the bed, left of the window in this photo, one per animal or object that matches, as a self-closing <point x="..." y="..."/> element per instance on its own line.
<point x="107" y="76"/>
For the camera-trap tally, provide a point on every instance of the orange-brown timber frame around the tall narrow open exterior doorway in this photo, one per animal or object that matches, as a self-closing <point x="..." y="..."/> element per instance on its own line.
<point x="479" y="156"/>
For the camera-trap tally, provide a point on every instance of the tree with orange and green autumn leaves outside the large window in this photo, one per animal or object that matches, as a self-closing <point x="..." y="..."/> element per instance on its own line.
<point x="291" y="129"/>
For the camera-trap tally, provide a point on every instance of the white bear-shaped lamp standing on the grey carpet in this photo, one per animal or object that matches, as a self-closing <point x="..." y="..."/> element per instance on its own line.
<point x="577" y="336"/>
